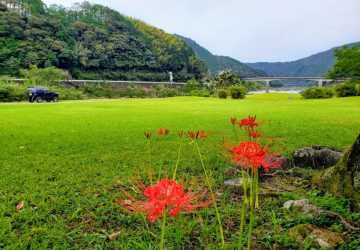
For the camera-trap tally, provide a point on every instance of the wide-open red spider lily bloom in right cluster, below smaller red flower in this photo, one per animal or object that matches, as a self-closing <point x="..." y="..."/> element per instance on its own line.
<point x="254" y="155"/>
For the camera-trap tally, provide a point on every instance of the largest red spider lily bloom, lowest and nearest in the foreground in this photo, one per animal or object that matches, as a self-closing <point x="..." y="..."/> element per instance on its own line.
<point x="165" y="195"/>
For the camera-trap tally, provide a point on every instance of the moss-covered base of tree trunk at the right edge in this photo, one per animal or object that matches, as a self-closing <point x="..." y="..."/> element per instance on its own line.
<point x="343" y="179"/>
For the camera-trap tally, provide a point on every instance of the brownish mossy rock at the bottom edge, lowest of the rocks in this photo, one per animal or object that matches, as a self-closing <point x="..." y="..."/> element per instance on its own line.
<point x="325" y="238"/>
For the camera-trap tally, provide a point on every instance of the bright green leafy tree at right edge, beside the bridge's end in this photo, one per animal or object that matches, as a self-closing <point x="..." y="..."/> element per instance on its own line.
<point x="347" y="64"/>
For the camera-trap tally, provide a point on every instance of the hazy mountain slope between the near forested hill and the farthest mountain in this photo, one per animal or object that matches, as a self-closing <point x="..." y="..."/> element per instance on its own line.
<point x="218" y="63"/>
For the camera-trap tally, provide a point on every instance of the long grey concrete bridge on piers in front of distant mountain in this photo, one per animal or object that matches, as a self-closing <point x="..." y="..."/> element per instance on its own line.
<point x="267" y="80"/>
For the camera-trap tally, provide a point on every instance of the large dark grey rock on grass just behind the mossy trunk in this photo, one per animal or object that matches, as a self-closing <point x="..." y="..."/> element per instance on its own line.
<point x="316" y="156"/>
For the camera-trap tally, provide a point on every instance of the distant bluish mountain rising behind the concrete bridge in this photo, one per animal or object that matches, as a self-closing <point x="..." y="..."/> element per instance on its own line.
<point x="314" y="65"/>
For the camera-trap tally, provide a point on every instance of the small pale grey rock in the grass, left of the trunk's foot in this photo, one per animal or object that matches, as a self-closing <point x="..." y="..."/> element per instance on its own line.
<point x="304" y="207"/>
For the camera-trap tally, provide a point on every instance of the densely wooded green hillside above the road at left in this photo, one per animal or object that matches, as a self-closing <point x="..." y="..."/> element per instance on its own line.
<point x="90" y="41"/>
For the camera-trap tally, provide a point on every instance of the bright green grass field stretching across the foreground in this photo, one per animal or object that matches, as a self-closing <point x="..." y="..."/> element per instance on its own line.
<point x="62" y="158"/>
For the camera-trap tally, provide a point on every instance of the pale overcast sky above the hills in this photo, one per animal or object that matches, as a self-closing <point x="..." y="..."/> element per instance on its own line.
<point x="250" y="30"/>
